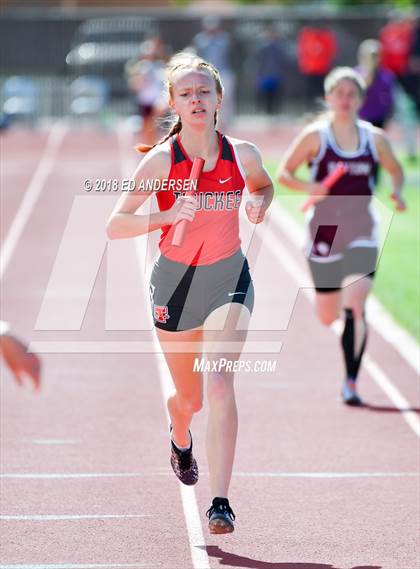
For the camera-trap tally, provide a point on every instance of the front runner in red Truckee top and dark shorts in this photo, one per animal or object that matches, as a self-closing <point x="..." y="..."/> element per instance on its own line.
<point x="201" y="292"/>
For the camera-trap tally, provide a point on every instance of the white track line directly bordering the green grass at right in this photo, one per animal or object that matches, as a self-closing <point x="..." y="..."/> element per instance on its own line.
<point x="378" y="317"/>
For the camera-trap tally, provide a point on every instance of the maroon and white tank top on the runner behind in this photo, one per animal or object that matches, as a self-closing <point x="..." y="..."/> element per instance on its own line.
<point x="344" y="219"/>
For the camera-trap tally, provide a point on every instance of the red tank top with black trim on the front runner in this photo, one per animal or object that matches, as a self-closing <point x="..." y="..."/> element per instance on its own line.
<point x="213" y="234"/>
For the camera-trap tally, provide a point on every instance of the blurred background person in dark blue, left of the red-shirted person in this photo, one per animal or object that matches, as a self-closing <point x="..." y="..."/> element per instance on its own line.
<point x="269" y="69"/>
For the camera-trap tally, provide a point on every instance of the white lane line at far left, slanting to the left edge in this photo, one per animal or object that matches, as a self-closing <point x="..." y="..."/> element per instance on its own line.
<point x="32" y="193"/>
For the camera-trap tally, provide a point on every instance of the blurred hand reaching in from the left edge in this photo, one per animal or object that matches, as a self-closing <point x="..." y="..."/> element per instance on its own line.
<point x="17" y="358"/>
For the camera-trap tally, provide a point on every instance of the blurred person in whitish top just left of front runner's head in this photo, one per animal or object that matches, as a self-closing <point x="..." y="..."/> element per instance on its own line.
<point x="146" y="77"/>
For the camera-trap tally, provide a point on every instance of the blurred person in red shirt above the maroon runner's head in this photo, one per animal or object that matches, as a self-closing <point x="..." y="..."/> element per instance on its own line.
<point x="317" y="48"/>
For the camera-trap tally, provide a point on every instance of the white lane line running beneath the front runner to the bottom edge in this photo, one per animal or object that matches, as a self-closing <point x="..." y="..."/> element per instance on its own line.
<point x="199" y="557"/>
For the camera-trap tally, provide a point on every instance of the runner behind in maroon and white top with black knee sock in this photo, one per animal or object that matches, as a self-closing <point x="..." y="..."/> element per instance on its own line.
<point x="343" y="247"/>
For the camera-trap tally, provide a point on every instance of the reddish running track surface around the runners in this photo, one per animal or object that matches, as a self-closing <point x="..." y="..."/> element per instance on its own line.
<point x="85" y="475"/>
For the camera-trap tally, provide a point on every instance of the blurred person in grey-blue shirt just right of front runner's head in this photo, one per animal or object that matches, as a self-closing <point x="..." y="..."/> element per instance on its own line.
<point x="213" y="44"/>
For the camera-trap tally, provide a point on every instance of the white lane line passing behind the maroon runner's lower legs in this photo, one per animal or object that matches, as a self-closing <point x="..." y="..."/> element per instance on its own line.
<point x="275" y="245"/>
